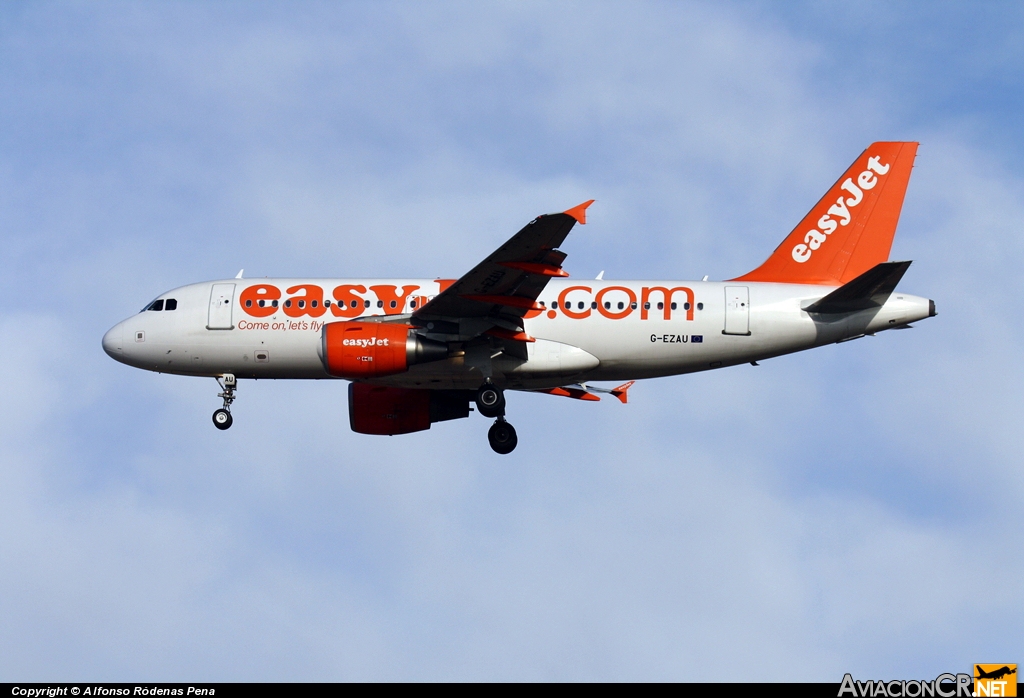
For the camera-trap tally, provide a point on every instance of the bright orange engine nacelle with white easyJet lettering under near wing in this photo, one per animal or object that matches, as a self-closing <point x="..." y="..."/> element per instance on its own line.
<point x="361" y="351"/>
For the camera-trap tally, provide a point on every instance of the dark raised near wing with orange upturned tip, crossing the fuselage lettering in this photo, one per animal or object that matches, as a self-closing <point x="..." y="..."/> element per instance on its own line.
<point x="505" y="287"/>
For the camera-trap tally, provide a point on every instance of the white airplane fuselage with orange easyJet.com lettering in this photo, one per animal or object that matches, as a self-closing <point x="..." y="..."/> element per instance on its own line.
<point x="606" y="333"/>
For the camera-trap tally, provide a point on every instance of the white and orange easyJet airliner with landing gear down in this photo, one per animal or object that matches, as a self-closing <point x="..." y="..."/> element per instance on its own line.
<point x="421" y="352"/>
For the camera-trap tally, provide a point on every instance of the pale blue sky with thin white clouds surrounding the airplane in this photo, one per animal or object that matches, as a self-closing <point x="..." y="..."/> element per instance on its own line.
<point x="849" y="509"/>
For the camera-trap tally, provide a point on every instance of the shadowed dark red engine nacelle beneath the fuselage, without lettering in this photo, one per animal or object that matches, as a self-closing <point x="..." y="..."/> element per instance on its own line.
<point x="379" y="410"/>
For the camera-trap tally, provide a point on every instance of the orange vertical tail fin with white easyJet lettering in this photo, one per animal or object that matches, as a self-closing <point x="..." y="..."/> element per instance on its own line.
<point x="851" y="230"/>
